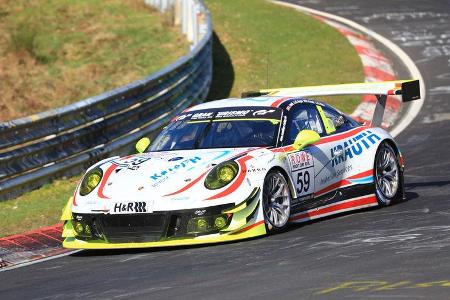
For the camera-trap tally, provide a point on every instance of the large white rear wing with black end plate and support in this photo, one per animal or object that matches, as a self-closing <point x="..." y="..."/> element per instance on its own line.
<point x="408" y="89"/>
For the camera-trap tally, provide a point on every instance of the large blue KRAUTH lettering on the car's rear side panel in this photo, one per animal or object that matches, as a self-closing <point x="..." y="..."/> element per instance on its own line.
<point x="353" y="147"/>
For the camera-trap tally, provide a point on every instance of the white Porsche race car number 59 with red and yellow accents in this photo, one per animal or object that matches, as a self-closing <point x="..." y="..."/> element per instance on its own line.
<point x="239" y="168"/>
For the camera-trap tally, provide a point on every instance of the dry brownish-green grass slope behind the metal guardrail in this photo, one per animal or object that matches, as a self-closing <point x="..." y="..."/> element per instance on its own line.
<point x="54" y="52"/>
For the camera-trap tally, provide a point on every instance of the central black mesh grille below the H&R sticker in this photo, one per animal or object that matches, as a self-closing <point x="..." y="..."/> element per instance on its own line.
<point x="132" y="228"/>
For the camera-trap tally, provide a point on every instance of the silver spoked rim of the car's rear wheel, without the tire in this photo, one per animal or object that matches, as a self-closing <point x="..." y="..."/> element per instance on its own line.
<point x="387" y="173"/>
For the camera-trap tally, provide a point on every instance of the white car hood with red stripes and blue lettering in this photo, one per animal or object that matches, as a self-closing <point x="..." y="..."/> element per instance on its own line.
<point x="164" y="177"/>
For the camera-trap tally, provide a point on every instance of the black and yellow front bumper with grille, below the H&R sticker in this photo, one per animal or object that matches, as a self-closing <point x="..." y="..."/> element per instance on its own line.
<point x="160" y="229"/>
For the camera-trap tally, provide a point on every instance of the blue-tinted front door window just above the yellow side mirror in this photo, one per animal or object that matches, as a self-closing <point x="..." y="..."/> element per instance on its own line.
<point x="303" y="116"/>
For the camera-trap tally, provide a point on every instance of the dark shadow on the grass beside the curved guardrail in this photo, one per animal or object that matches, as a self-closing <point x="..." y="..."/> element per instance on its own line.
<point x="223" y="72"/>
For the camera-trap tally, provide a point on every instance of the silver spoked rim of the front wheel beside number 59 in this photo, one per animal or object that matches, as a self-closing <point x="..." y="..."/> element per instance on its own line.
<point x="276" y="200"/>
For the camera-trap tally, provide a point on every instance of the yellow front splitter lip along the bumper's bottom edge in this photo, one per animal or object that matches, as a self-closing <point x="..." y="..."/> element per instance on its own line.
<point x="73" y="243"/>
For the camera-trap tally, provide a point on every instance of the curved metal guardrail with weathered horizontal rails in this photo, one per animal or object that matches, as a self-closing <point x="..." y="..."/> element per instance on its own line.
<point x="61" y="142"/>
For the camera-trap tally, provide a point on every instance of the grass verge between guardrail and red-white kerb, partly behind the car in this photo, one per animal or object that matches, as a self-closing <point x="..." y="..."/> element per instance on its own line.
<point x="299" y="50"/>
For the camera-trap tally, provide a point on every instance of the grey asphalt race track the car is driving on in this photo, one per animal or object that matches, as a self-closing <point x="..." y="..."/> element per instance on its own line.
<point x="402" y="251"/>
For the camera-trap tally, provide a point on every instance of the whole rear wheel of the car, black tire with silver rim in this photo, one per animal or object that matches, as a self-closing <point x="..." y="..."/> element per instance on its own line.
<point x="387" y="175"/>
